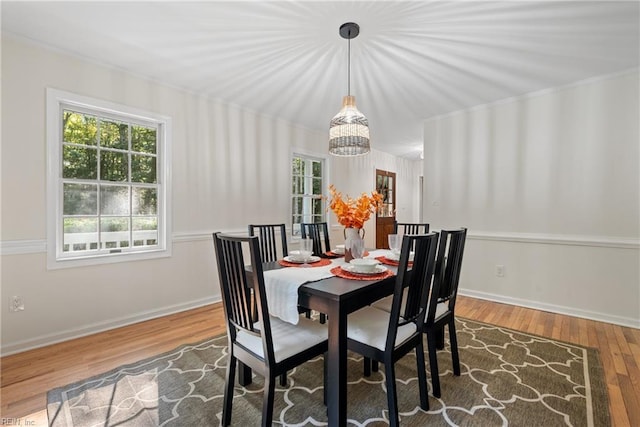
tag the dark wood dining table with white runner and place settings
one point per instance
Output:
(336, 297)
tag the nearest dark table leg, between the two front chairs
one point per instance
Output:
(337, 366)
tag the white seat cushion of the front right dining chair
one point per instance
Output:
(369, 325)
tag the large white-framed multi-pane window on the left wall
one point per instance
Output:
(107, 182)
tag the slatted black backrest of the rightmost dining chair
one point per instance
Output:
(448, 267)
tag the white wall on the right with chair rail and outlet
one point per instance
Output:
(548, 185)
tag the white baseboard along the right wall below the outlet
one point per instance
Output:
(559, 309)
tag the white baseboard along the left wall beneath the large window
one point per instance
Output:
(45, 340)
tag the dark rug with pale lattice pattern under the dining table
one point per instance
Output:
(508, 378)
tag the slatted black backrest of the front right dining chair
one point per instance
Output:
(416, 280)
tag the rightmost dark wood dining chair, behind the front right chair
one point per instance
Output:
(441, 308)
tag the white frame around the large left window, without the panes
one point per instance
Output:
(57, 100)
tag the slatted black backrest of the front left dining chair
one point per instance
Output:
(236, 285)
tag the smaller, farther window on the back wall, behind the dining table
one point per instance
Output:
(307, 188)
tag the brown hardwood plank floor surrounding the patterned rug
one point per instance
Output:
(26, 377)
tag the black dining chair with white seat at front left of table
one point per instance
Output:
(268, 345)
